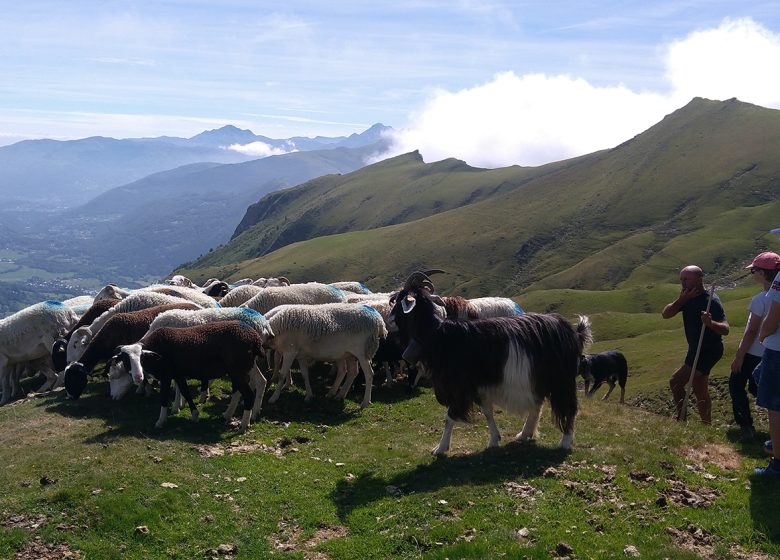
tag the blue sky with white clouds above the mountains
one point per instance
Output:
(491, 82)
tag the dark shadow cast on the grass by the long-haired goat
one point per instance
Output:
(509, 462)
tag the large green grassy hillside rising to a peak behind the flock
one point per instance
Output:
(700, 186)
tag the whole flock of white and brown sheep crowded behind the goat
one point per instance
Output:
(178, 331)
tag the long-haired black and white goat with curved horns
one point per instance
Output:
(512, 362)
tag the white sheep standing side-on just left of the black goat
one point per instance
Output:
(334, 333)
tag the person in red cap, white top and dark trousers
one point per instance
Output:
(763, 268)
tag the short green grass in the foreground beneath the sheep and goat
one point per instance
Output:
(366, 479)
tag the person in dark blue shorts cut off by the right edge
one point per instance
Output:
(767, 374)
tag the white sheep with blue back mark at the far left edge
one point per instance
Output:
(28, 335)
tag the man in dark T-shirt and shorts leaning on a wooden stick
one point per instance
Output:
(692, 301)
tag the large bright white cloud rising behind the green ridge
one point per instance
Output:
(537, 118)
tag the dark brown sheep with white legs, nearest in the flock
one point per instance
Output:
(201, 352)
